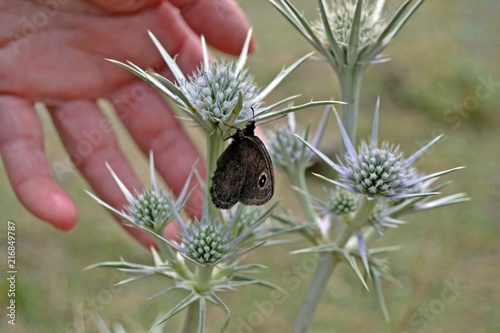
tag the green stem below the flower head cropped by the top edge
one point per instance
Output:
(350, 87)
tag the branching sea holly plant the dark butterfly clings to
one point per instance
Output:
(206, 257)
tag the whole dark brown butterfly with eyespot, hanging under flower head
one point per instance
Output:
(244, 172)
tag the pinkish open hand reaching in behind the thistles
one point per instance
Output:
(55, 54)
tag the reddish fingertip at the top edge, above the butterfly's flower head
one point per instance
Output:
(222, 22)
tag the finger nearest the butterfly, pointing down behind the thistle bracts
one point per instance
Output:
(154, 128)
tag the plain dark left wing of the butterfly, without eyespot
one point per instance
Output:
(229, 177)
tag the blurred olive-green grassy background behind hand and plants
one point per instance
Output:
(439, 60)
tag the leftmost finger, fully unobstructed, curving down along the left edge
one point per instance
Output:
(22, 149)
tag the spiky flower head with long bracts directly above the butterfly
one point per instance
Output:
(219, 92)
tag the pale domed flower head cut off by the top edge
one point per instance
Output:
(340, 18)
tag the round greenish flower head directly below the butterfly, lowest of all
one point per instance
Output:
(206, 244)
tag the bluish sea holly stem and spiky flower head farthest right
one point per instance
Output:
(374, 187)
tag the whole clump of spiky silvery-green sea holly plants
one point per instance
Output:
(375, 185)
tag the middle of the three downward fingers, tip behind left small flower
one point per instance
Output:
(88, 137)
